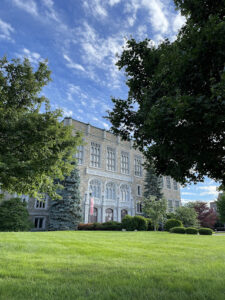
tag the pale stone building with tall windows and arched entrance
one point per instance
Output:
(111, 173)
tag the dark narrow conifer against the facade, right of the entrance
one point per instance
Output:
(152, 184)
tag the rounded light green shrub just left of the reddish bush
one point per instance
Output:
(187, 215)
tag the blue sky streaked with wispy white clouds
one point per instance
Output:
(80, 39)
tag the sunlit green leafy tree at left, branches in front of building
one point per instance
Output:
(35, 148)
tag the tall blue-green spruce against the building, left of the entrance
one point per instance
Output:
(65, 214)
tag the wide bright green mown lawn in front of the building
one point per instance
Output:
(111, 265)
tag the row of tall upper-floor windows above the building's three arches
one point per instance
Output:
(95, 159)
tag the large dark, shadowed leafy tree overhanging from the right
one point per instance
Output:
(176, 100)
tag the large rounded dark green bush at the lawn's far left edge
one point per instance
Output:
(14, 216)
